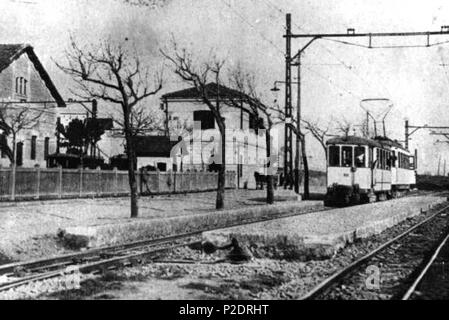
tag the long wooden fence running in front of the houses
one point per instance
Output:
(51, 183)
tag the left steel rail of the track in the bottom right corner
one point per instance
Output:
(328, 282)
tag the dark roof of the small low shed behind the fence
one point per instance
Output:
(153, 146)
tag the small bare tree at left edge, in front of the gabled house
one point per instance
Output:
(14, 119)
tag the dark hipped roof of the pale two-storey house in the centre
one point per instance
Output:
(212, 90)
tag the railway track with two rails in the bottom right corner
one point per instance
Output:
(391, 265)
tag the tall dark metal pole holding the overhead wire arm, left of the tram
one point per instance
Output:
(287, 130)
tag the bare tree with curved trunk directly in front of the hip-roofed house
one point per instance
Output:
(199, 77)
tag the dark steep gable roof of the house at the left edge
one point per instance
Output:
(11, 52)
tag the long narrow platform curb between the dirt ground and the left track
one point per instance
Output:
(139, 229)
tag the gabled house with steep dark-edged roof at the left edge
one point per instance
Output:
(26, 86)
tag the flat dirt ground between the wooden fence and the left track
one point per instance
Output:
(29, 229)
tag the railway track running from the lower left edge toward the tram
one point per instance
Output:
(17, 274)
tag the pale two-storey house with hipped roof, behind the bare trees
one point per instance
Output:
(245, 144)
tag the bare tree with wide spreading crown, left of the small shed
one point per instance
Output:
(113, 74)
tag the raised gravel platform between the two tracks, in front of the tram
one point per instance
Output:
(320, 235)
